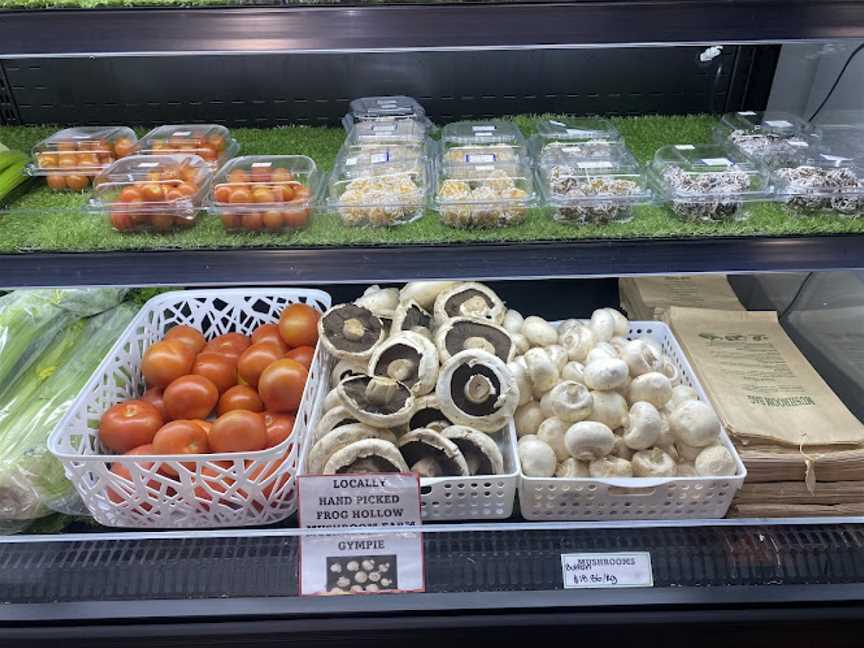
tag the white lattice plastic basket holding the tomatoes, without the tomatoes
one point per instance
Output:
(212, 490)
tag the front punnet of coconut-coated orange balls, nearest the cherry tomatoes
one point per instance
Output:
(379, 186)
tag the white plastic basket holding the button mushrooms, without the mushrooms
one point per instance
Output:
(632, 498)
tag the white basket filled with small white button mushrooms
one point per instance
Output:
(613, 424)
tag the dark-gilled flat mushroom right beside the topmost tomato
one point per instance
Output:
(351, 332)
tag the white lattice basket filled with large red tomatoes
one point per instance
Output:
(194, 419)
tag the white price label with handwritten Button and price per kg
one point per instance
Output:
(596, 571)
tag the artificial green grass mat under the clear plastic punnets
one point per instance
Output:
(46, 221)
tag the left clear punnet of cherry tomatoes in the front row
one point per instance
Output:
(157, 193)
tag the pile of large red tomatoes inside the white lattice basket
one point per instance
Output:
(233, 393)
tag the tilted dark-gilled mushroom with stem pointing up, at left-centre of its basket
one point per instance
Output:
(377, 401)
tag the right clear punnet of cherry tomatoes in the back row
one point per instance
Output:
(211, 142)
